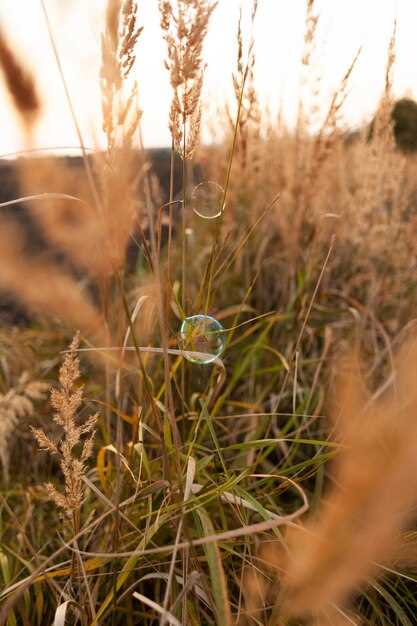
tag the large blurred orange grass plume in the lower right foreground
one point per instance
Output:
(372, 498)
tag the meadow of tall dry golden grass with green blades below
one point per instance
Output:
(208, 399)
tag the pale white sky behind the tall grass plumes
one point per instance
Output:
(345, 25)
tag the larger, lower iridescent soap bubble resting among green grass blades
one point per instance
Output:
(202, 334)
